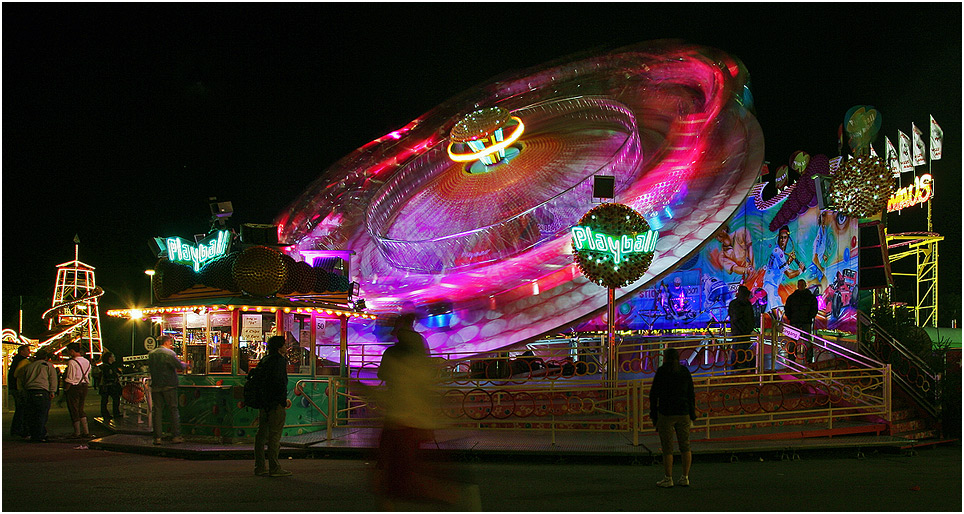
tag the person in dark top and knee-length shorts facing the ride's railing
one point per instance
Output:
(672, 407)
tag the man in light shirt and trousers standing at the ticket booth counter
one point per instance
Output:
(164, 367)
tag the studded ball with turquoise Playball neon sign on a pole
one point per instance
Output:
(613, 245)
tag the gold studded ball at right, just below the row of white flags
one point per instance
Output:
(861, 187)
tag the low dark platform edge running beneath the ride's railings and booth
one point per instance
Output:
(469, 444)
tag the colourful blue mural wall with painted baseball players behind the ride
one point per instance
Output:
(818, 246)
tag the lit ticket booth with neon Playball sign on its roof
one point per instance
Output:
(222, 310)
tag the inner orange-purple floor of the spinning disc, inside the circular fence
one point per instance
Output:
(436, 216)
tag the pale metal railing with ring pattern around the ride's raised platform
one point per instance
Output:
(571, 393)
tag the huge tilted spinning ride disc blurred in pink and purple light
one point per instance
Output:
(485, 245)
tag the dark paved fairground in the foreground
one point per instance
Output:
(65, 476)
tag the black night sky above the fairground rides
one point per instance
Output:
(120, 120)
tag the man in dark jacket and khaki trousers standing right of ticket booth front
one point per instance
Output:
(271, 417)
